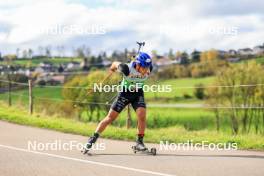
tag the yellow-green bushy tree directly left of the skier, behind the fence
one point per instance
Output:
(87, 100)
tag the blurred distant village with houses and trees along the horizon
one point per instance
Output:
(48, 68)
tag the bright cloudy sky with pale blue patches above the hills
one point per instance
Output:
(107, 25)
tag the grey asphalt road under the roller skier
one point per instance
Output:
(19, 157)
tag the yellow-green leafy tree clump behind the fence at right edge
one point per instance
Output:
(234, 96)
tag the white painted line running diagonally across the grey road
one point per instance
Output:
(86, 161)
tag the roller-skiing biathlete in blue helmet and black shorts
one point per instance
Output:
(134, 74)
